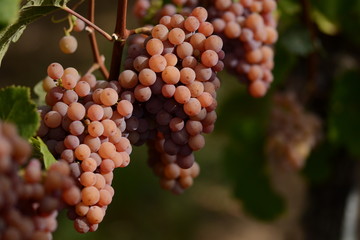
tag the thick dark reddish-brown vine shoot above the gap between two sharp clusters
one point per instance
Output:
(122, 33)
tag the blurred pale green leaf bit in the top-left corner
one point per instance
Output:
(9, 12)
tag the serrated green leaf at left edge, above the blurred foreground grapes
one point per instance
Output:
(17, 107)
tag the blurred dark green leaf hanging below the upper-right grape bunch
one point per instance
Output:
(245, 160)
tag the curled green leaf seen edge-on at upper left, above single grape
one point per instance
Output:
(31, 11)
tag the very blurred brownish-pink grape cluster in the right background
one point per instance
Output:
(293, 132)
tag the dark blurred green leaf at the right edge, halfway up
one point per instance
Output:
(344, 114)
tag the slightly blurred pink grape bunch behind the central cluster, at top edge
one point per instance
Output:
(248, 29)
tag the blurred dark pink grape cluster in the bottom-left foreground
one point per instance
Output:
(29, 202)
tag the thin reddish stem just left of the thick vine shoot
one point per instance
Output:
(94, 45)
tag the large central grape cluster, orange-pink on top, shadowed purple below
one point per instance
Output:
(170, 79)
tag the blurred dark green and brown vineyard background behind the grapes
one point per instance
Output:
(282, 167)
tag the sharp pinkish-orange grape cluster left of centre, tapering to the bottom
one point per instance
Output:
(83, 125)
